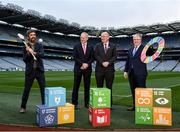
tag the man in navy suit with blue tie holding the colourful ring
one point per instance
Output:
(135, 70)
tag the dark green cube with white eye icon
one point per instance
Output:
(161, 97)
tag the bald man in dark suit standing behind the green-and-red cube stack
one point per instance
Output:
(105, 55)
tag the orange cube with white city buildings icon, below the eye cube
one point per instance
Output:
(162, 116)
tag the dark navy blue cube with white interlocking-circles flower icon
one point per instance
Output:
(46, 116)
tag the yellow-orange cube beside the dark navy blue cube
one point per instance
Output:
(66, 114)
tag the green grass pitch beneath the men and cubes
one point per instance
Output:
(12, 83)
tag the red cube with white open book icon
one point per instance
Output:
(99, 116)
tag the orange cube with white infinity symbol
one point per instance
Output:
(144, 97)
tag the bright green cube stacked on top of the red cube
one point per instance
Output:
(100, 97)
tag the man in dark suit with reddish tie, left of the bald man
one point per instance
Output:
(83, 56)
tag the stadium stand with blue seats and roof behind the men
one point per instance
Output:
(60, 36)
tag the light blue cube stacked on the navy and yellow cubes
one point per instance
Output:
(55, 96)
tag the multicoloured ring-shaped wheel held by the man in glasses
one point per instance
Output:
(148, 59)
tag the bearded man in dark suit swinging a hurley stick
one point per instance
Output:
(34, 68)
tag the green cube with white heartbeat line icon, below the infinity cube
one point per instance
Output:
(144, 115)
